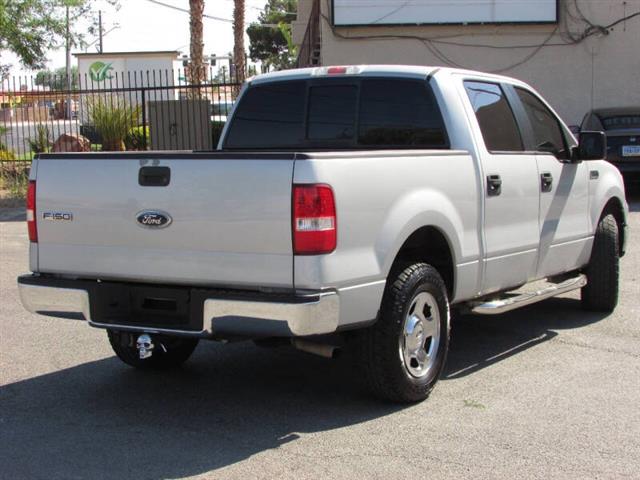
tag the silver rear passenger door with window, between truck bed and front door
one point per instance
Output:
(511, 190)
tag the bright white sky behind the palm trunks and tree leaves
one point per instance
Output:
(146, 26)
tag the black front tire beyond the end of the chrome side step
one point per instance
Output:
(601, 292)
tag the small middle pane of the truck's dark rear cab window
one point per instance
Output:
(332, 112)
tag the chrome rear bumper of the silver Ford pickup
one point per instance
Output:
(315, 313)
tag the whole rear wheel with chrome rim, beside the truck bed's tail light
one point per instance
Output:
(403, 354)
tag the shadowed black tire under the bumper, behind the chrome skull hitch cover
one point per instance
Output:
(178, 350)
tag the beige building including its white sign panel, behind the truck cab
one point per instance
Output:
(580, 54)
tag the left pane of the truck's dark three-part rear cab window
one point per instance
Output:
(269, 116)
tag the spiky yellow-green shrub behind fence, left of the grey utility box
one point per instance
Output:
(113, 119)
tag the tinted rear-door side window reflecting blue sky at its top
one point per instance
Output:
(496, 119)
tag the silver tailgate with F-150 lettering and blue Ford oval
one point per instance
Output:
(230, 218)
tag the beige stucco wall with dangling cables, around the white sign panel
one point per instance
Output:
(601, 71)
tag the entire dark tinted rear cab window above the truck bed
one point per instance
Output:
(341, 113)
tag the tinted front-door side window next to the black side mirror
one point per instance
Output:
(547, 134)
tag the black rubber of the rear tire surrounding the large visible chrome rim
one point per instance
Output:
(379, 348)
